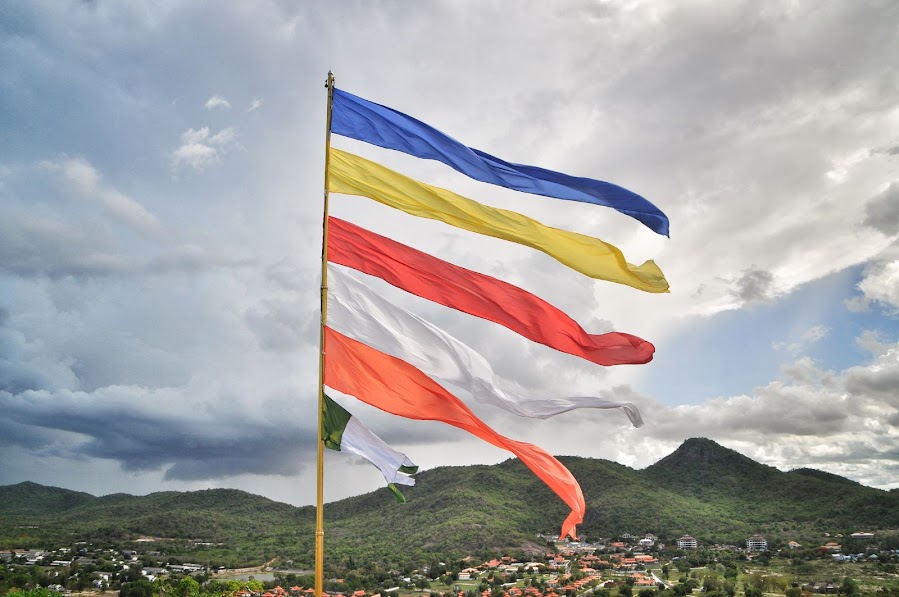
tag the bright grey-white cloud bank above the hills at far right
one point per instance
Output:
(816, 418)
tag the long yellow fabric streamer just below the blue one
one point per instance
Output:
(354, 175)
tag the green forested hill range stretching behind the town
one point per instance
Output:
(701, 489)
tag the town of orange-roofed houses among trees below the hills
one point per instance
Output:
(626, 565)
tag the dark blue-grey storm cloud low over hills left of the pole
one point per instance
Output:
(144, 431)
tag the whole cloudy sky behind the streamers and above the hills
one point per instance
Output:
(161, 186)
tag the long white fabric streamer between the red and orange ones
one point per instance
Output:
(362, 314)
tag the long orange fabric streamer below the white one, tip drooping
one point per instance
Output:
(397, 387)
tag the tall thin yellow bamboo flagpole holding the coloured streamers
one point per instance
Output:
(319, 504)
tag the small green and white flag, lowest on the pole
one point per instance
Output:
(343, 432)
